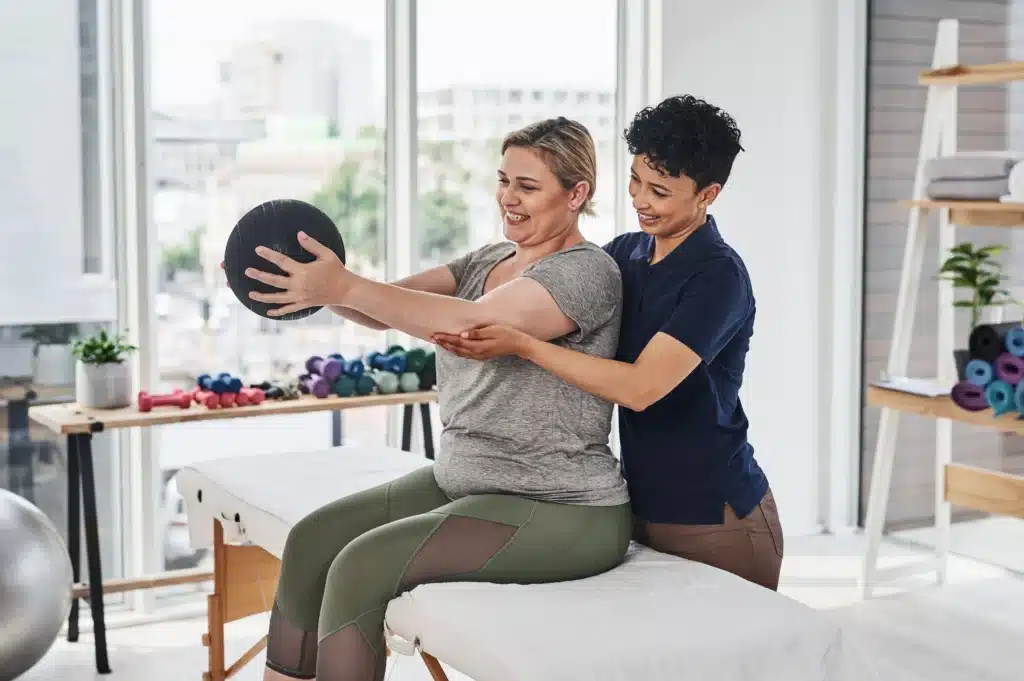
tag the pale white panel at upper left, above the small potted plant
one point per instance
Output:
(41, 228)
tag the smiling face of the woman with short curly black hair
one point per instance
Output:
(668, 206)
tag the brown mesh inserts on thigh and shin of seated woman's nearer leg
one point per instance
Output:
(460, 546)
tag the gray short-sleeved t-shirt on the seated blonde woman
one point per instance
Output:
(511, 428)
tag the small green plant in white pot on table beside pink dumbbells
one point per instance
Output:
(103, 378)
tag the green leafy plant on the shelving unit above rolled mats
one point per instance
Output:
(977, 271)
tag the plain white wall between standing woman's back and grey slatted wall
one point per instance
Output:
(774, 67)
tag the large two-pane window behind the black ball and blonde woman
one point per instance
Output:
(249, 101)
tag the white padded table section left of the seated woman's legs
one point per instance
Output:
(271, 493)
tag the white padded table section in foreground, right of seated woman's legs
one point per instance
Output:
(656, 618)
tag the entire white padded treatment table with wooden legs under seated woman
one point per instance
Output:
(656, 618)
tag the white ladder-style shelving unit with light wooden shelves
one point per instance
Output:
(987, 491)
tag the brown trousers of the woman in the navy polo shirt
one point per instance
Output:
(751, 547)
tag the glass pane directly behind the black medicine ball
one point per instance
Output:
(253, 103)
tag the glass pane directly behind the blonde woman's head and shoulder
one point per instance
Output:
(500, 75)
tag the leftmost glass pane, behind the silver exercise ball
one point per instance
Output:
(46, 247)
